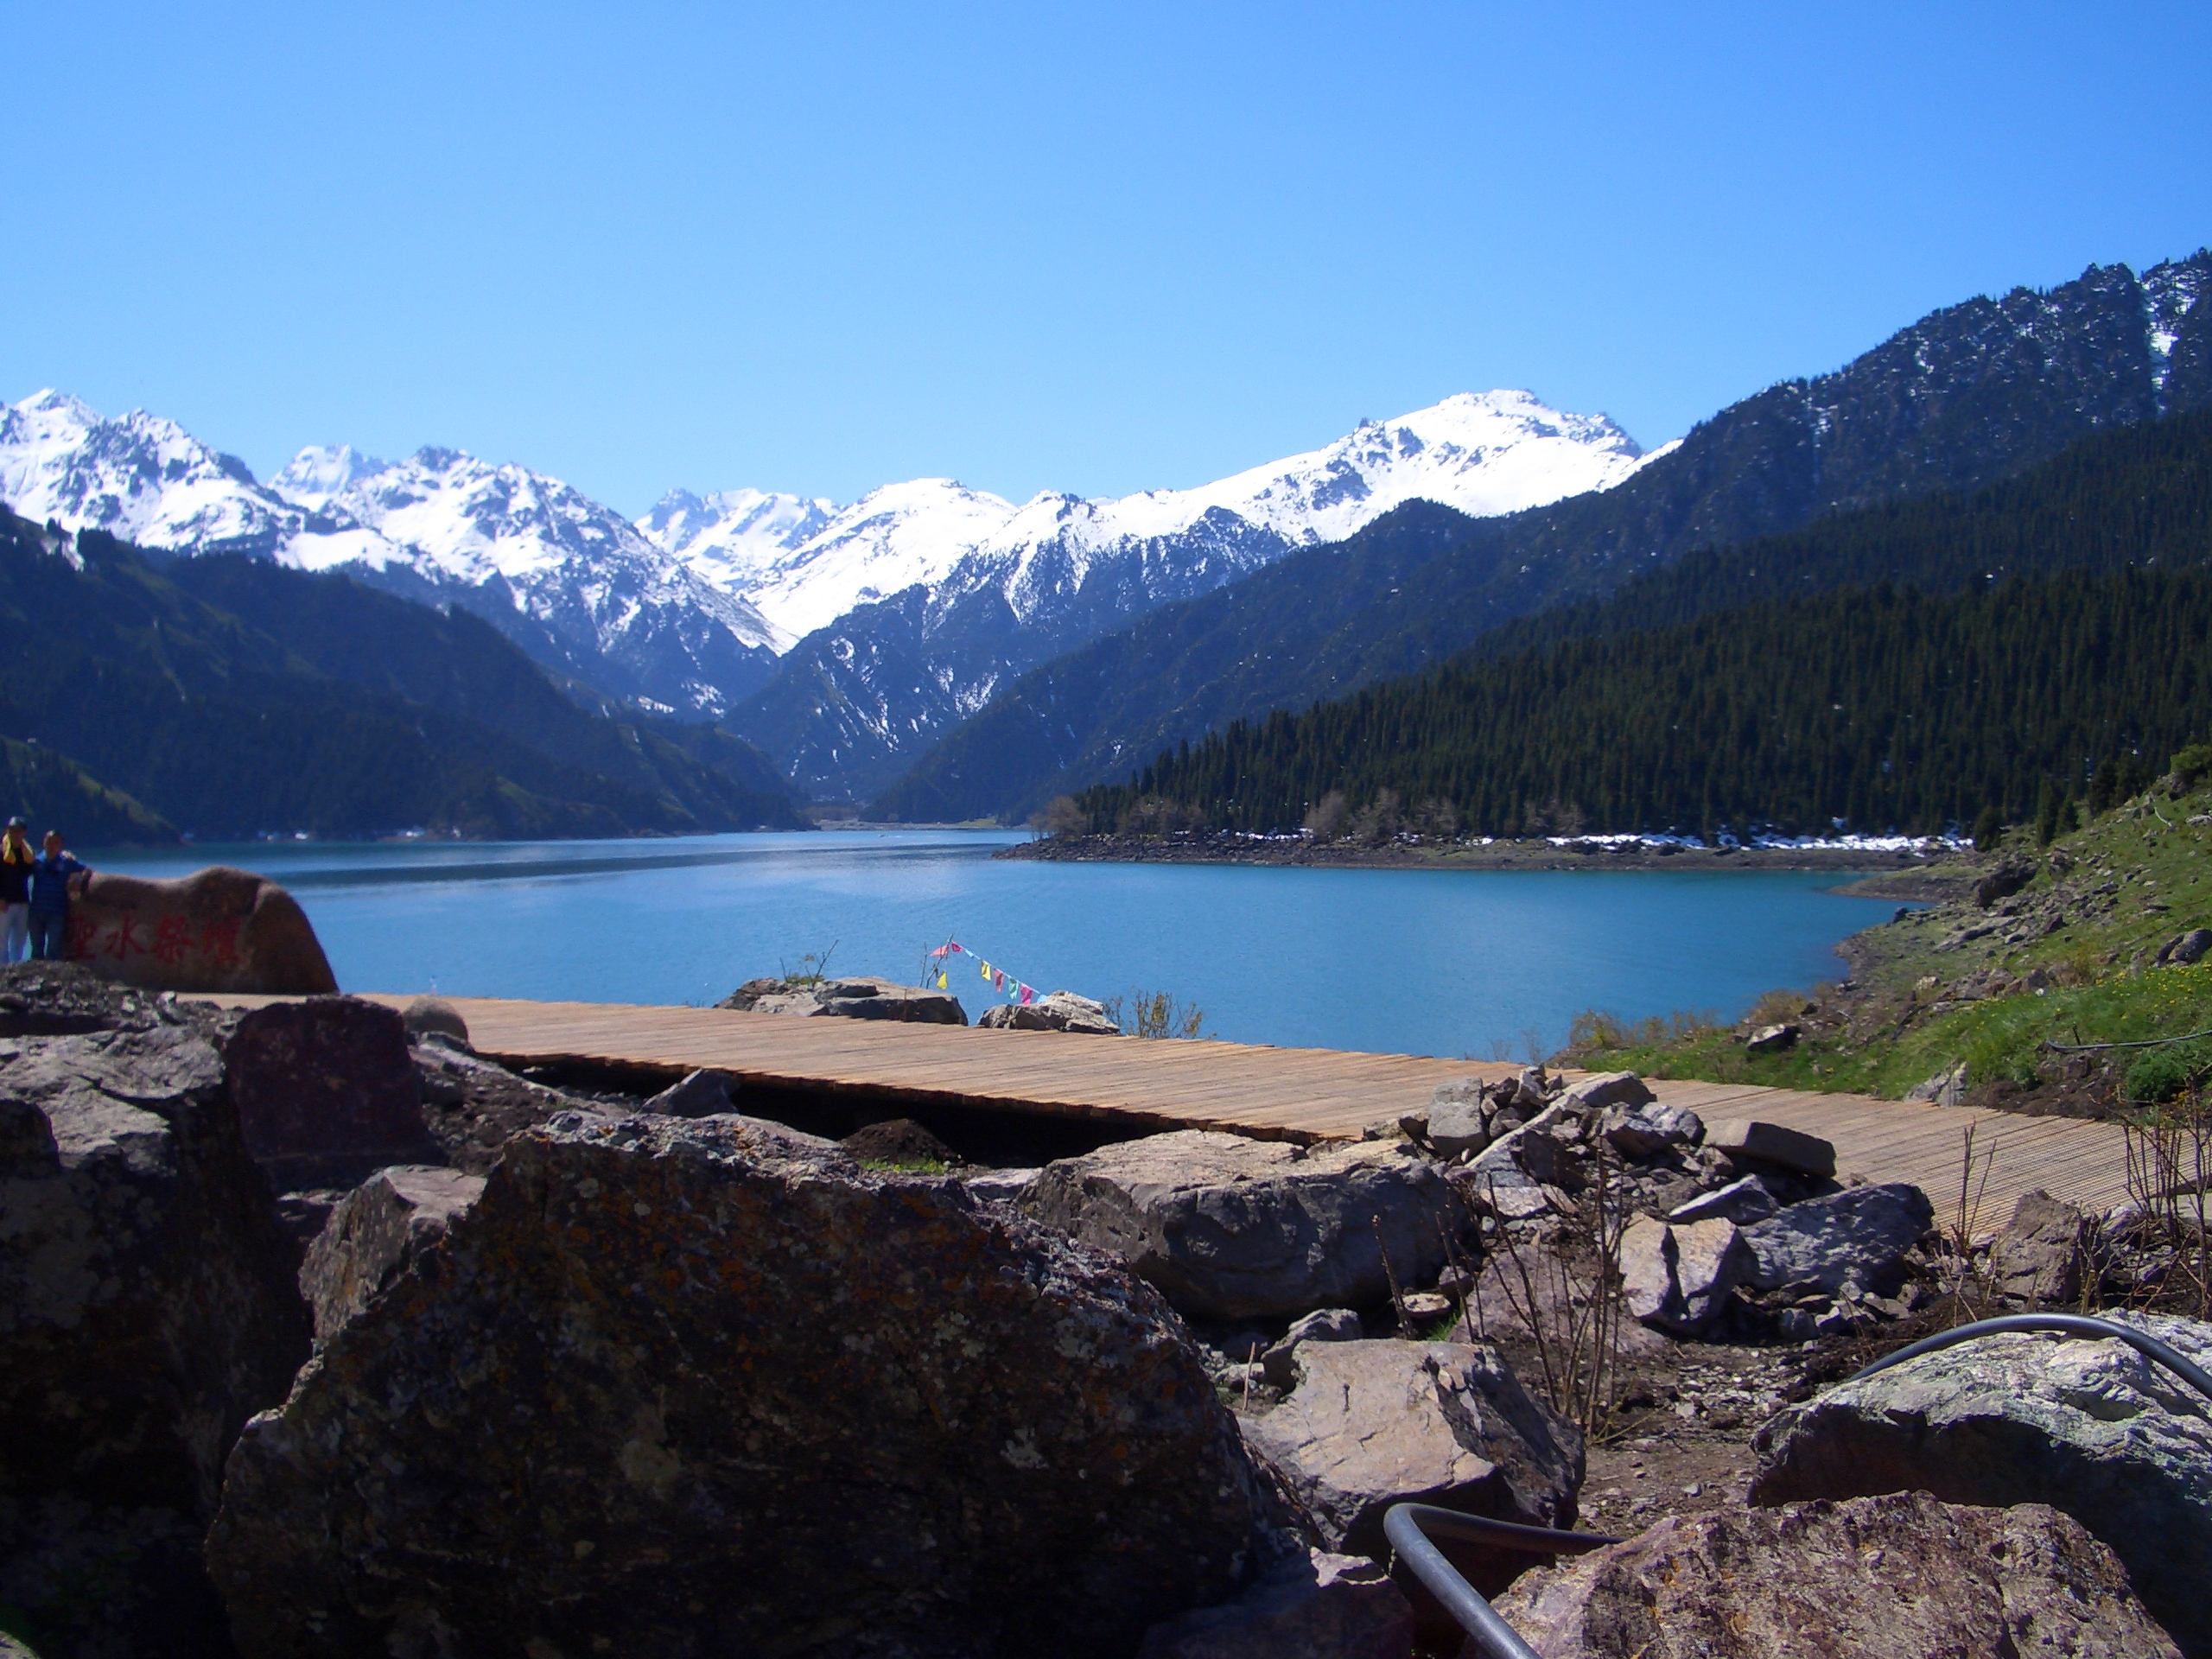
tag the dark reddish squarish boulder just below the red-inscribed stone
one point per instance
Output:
(326, 1092)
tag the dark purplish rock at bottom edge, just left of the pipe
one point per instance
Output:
(1306, 1607)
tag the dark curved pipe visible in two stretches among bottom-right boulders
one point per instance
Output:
(1412, 1527)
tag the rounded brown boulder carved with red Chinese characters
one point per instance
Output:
(216, 930)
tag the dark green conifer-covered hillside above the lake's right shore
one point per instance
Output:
(1901, 667)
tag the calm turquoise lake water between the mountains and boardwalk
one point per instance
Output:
(1439, 963)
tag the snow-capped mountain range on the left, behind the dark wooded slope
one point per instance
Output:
(567, 578)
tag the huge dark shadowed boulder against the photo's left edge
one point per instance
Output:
(147, 1308)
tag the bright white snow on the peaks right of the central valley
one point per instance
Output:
(1492, 452)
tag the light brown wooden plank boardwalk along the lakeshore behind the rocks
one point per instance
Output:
(1277, 1094)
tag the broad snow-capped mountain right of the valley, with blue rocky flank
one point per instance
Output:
(921, 598)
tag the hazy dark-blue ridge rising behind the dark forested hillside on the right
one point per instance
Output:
(1965, 397)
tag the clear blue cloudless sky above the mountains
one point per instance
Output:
(1087, 249)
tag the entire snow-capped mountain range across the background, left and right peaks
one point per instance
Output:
(912, 603)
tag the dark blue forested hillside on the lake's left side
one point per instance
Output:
(333, 711)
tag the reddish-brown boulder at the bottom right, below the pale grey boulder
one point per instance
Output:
(1875, 1578)
